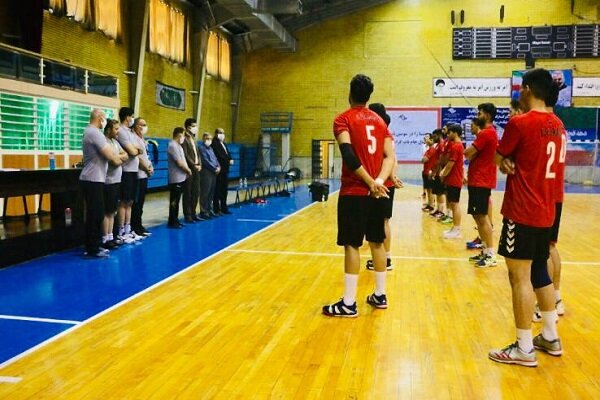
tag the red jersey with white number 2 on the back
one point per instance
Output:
(533, 141)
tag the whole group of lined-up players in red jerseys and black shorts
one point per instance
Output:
(531, 153)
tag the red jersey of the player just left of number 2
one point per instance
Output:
(482, 169)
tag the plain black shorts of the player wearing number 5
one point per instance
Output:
(360, 216)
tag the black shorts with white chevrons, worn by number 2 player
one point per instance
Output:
(523, 242)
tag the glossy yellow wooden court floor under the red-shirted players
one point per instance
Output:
(246, 324)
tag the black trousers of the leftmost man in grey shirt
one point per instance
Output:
(93, 193)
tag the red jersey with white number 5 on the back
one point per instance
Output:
(367, 134)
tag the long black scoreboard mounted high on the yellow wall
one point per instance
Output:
(533, 42)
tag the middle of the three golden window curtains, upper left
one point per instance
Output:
(167, 31)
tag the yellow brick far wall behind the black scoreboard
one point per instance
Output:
(401, 46)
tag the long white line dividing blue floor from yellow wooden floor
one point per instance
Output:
(133, 297)
